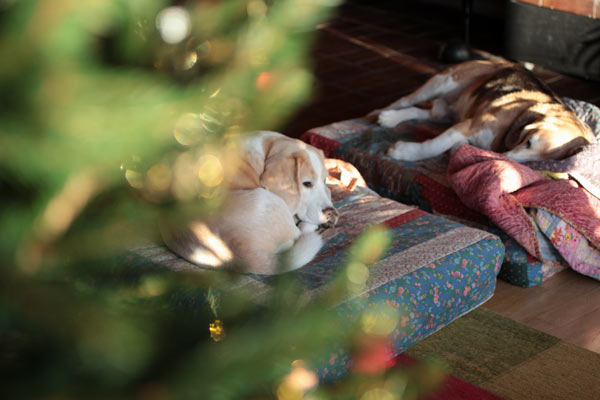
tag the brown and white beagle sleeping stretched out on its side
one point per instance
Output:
(494, 105)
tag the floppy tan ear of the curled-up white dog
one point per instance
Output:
(281, 176)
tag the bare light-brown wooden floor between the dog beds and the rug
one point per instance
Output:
(566, 306)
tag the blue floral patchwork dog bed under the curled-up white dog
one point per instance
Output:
(434, 271)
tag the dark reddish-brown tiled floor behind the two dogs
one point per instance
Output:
(372, 52)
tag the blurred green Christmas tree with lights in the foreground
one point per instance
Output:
(106, 107)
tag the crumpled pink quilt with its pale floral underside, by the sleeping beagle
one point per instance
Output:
(507, 192)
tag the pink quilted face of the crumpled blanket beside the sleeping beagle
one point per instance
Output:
(502, 190)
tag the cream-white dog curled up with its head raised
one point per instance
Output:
(277, 202)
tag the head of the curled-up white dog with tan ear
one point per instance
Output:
(295, 171)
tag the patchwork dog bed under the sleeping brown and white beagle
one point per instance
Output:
(425, 184)
